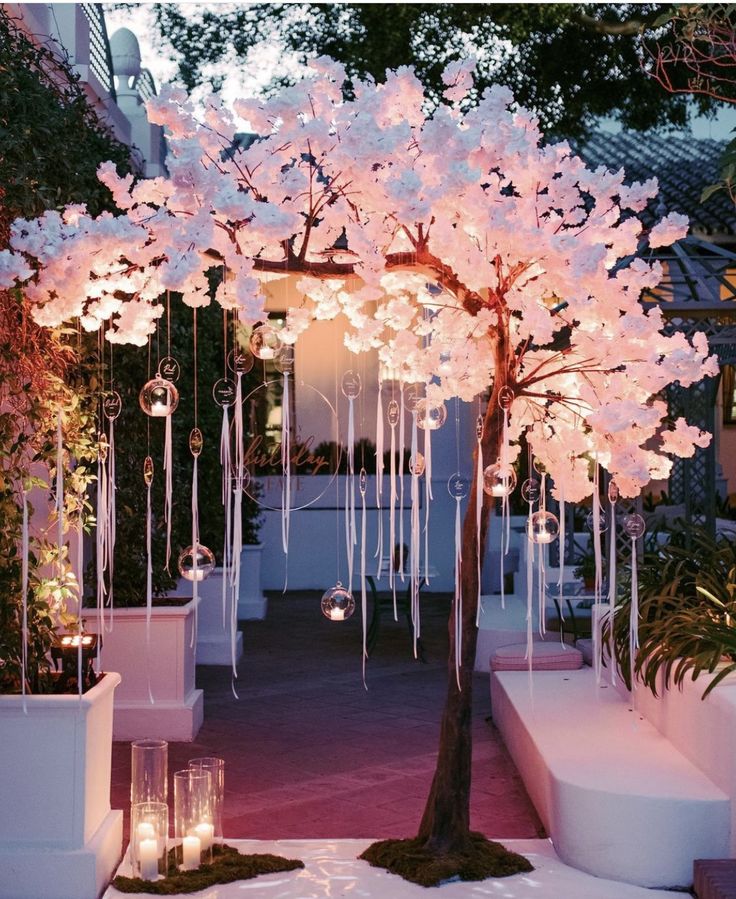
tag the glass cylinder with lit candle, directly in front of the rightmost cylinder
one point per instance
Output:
(193, 818)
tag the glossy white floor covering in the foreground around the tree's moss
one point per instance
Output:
(332, 869)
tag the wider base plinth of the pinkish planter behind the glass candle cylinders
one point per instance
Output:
(161, 720)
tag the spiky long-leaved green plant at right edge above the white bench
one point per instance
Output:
(687, 612)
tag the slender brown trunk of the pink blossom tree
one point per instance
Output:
(445, 825)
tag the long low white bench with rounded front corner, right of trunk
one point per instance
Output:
(615, 796)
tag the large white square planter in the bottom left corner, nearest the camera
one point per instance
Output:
(59, 838)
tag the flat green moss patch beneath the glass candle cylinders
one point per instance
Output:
(228, 865)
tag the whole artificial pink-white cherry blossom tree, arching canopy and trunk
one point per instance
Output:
(524, 241)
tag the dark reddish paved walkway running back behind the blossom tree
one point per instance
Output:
(310, 753)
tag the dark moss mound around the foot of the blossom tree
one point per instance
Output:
(480, 859)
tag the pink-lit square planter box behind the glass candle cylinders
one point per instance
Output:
(177, 710)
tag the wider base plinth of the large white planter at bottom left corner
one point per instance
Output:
(32, 872)
